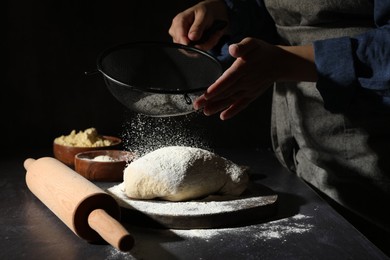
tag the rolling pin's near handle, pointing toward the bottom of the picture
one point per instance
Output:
(110, 230)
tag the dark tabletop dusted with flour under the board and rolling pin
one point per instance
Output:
(304, 227)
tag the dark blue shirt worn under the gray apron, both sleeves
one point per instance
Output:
(350, 69)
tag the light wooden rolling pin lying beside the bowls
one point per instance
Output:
(86, 209)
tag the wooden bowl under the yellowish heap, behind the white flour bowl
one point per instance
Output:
(66, 153)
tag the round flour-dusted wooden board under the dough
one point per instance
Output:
(257, 204)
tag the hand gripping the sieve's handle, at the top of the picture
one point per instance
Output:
(189, 25)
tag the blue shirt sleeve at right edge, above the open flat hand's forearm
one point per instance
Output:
(350, 66)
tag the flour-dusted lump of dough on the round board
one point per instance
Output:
(179, 173)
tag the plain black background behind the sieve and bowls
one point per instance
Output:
(49, 46)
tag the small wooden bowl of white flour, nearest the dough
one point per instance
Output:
(89, 166)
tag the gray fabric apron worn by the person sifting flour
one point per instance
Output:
(344, 155)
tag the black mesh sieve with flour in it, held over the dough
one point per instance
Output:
(157, 78)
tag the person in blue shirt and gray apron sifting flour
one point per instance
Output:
(331, 99)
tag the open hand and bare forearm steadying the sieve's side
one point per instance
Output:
(257, 65)
